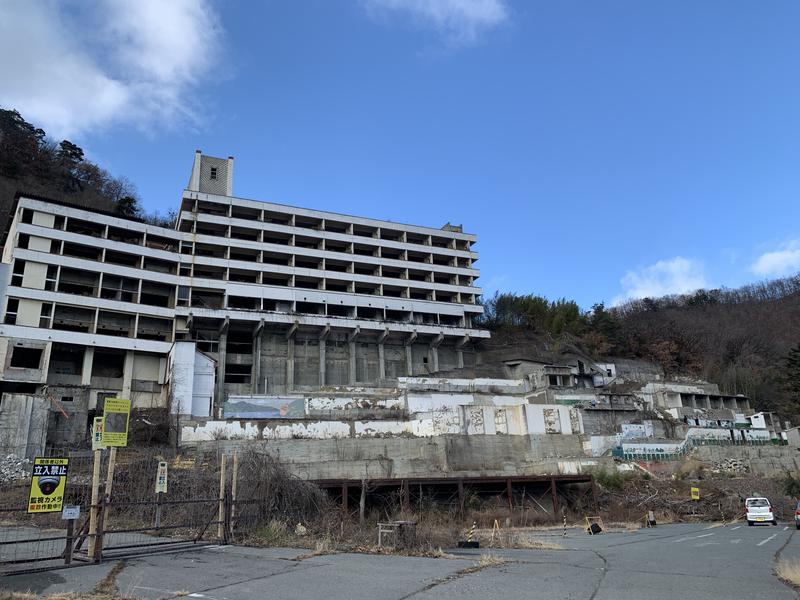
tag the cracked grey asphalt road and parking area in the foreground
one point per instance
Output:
(668, 562)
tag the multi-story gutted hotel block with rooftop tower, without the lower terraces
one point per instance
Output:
(243, 296)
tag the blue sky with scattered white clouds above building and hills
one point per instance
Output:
(600, 150)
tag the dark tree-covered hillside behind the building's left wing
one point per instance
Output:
(32, 163)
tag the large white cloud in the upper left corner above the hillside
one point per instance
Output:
(72, 68)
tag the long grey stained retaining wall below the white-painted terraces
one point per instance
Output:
(445, 456)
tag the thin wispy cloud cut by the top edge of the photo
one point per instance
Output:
(460, 21)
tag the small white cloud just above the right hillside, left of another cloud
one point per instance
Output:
(677, 275)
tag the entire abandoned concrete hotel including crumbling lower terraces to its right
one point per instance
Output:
(251, 320)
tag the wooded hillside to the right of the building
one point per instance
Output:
(746, 339)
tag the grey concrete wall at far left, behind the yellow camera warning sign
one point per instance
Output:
(23, 425)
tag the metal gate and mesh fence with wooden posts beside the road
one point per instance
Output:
(120, 513)
